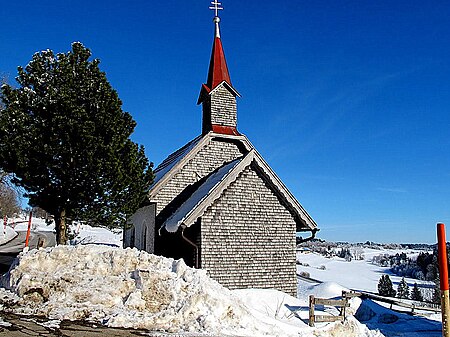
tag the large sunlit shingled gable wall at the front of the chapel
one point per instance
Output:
(248, 237)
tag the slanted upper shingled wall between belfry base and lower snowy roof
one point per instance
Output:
(212, 156)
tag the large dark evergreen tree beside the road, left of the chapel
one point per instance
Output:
(66, 139)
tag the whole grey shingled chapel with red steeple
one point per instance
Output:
(218, 205)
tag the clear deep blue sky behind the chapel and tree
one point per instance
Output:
(348, 101)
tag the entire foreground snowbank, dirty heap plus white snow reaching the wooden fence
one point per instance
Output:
(130, 288)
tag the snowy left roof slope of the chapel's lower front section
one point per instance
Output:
(177, 218)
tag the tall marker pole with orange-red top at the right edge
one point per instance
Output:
(443, 276)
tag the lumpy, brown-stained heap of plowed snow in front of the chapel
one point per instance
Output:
(123, 287)
